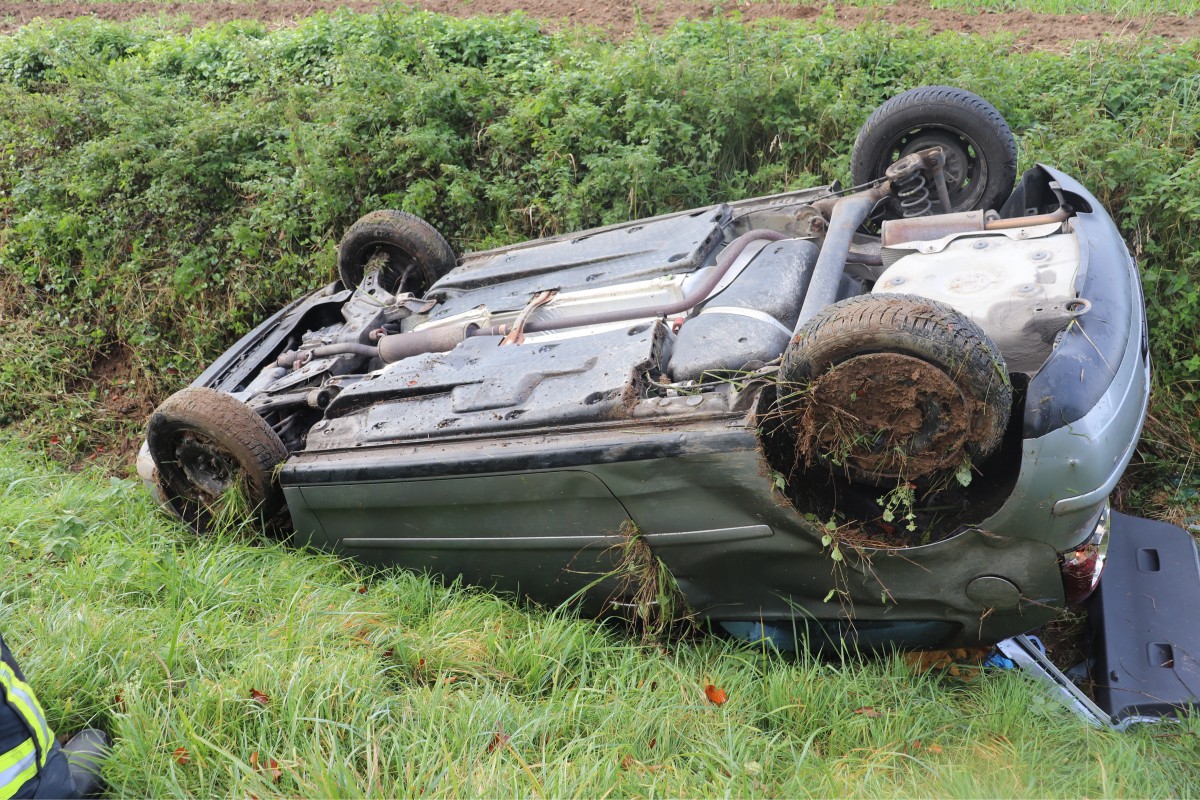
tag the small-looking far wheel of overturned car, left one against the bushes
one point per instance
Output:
(417, 252)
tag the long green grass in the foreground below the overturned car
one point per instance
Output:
(212, 660)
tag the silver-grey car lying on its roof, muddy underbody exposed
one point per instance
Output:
(889, 414)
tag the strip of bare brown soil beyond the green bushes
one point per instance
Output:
(621, 17)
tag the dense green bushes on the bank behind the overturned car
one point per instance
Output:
(160, 194)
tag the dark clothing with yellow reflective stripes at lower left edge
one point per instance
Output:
(26, 739)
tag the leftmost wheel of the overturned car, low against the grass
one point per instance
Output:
(205, 443)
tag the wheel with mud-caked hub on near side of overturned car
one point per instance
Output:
(895, 389)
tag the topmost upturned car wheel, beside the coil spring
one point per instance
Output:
(981, 153)
